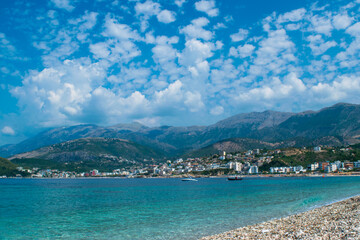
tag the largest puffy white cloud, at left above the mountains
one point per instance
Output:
(54, 94)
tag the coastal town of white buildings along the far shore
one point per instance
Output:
(255, 162)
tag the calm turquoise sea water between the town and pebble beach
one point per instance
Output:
(155, 208)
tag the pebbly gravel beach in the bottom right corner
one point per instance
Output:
(340, 220)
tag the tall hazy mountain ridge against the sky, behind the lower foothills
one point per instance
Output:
(340, 121)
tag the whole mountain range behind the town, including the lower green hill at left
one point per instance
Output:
(335, 125)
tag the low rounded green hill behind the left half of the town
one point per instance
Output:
(92, 152)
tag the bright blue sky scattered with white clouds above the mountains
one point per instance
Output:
(173, 62)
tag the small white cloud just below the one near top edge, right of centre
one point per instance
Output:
(196, 30)
